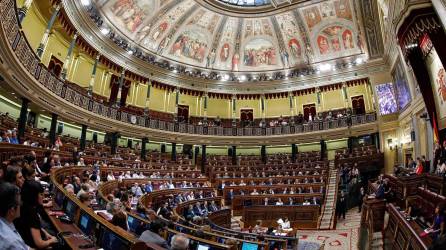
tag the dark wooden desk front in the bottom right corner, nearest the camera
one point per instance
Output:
(404, 234)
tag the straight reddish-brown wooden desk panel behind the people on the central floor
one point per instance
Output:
(299, 216)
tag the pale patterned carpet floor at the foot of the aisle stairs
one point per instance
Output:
(345, 237)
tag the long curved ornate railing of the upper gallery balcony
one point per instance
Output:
(31, 62)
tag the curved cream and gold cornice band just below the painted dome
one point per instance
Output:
(92, 35)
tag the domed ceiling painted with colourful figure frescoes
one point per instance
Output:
(202, 33)
